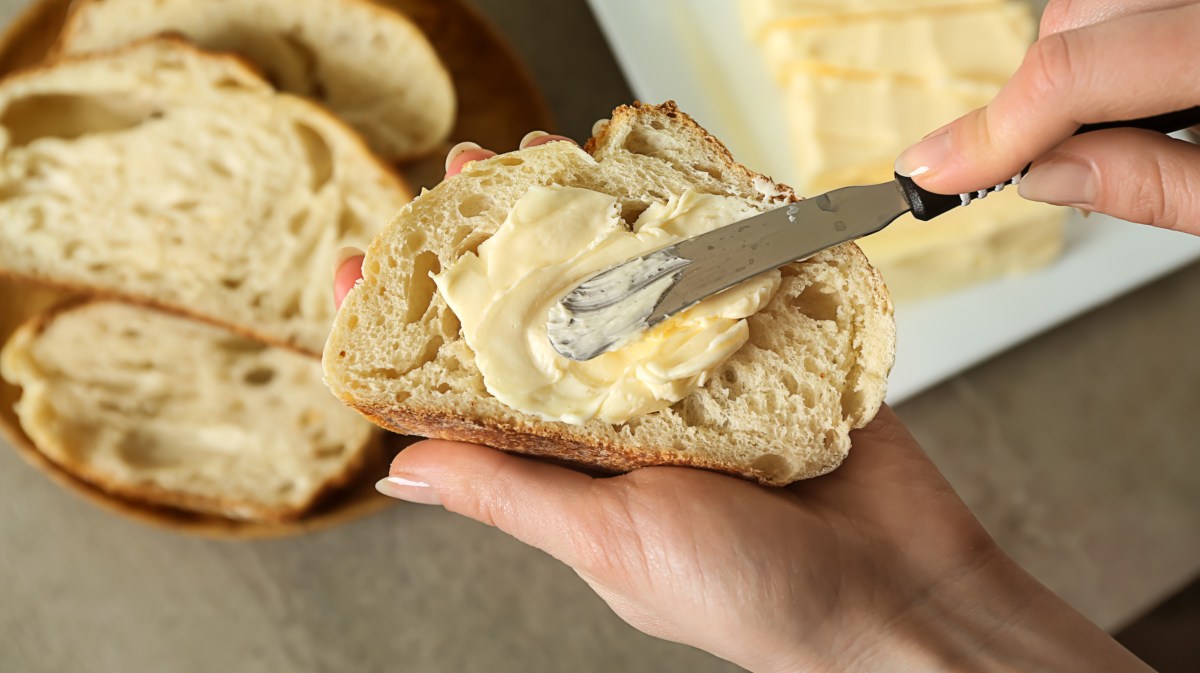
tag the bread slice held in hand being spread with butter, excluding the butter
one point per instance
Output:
(781, 410)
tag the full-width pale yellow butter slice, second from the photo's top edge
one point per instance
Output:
(985, 43)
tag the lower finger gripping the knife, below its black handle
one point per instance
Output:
(1132, 175)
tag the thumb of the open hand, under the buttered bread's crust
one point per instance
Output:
(541, 504)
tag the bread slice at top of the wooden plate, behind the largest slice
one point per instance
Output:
(369, 64)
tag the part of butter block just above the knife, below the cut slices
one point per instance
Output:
(849, 131)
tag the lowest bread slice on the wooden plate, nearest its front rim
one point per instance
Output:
(164, 410)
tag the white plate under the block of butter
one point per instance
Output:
(695, 53)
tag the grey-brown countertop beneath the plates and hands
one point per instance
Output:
(1078, 450)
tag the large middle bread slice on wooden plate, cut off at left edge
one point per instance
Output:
(178, 178)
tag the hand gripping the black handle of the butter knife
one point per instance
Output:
(1097, 61)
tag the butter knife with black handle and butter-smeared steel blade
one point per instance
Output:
(613, 308)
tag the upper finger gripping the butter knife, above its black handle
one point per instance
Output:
(1125, 69)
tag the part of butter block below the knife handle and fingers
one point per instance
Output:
(1001, 236)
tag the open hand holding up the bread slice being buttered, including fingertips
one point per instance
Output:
(878, 566)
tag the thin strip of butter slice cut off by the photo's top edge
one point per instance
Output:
(761, 16)
